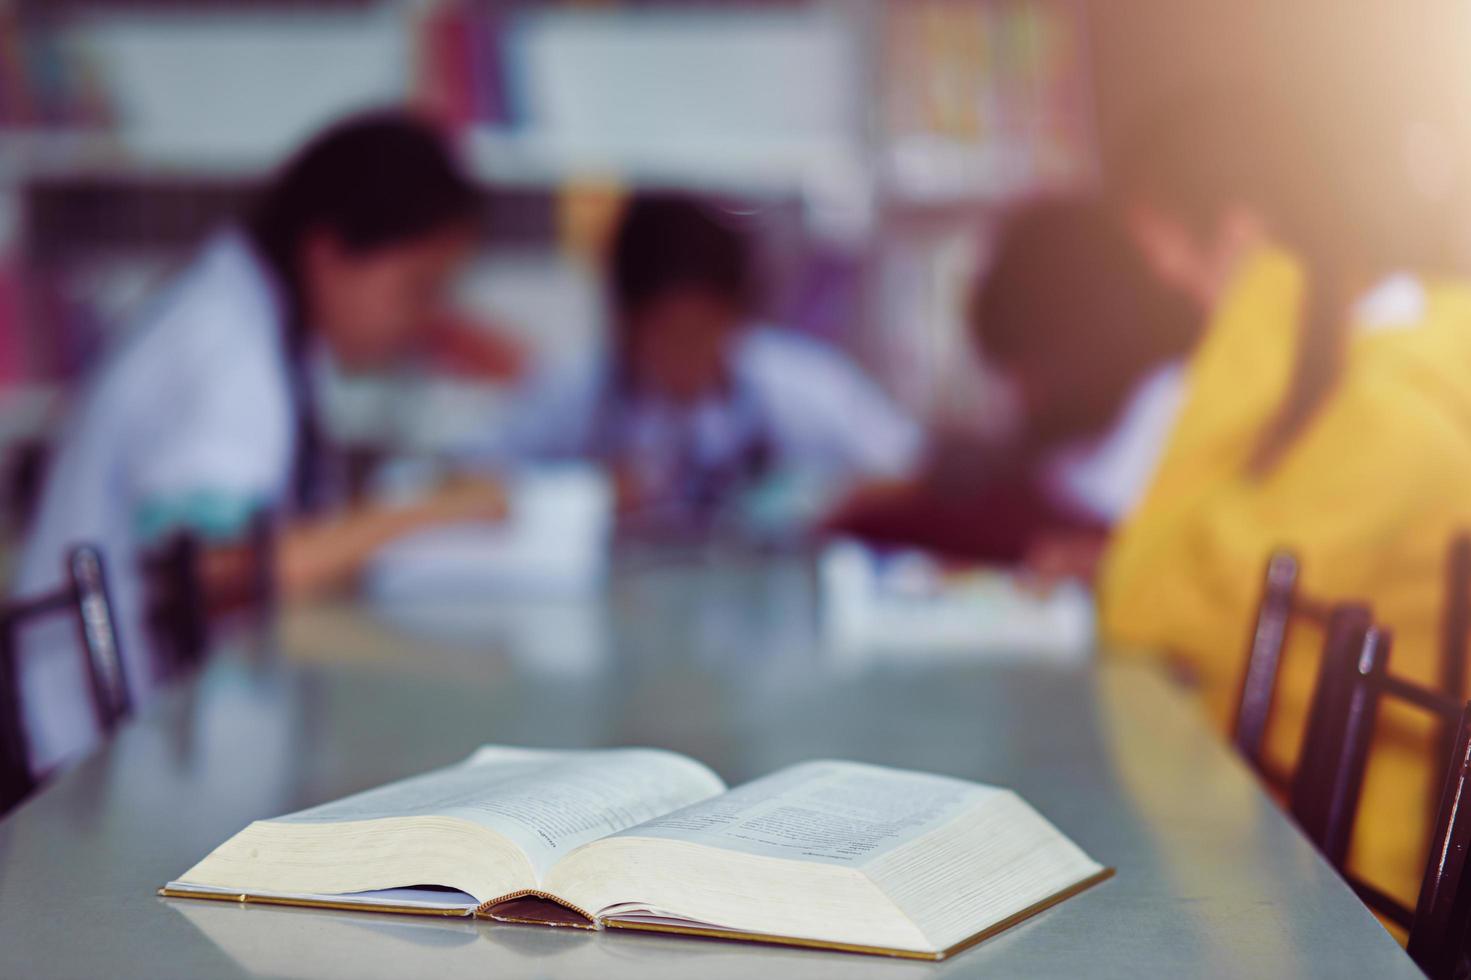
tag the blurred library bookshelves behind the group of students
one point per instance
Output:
(873, 145)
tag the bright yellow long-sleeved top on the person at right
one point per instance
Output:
(1369, 498)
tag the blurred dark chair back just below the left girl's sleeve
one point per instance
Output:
(192, 586)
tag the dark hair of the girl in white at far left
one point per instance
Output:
(374, 180)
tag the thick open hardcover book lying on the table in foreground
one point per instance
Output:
(838, 856)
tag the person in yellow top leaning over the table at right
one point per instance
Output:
(1328, 410)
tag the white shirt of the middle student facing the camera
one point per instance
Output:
(810, 407)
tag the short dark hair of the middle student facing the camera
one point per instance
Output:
(669, 242)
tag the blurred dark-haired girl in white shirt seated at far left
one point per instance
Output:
(205, 416)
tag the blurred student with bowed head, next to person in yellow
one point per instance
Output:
(1095, 373)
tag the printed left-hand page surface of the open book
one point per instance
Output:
(545, 801)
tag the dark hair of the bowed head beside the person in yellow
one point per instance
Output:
(1069, 288)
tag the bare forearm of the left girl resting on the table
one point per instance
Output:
(321, 555)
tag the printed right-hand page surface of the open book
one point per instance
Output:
(838, 813)
